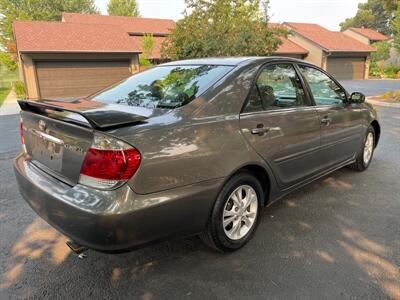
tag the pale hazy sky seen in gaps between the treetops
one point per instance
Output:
(328, 13)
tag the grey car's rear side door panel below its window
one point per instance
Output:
(291, 144)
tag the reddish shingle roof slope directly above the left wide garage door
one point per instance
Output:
(41, 36)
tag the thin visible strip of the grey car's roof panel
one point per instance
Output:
(229, 61)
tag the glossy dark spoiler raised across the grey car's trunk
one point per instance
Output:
(103, 116)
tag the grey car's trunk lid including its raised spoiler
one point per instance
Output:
(58, 134)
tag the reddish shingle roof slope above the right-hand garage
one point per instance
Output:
(329, 40)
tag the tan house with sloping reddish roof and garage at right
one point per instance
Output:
(335, 52)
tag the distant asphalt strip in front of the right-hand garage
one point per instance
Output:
(371, 87)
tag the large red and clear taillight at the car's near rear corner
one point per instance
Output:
(109, 163)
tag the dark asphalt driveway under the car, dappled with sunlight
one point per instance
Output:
(338, 238)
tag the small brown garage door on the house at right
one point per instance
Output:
(347, 68)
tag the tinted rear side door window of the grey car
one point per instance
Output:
(277, 86)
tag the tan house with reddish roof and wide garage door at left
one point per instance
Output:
(82, 53)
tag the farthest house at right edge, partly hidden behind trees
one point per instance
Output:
(369, 36)
